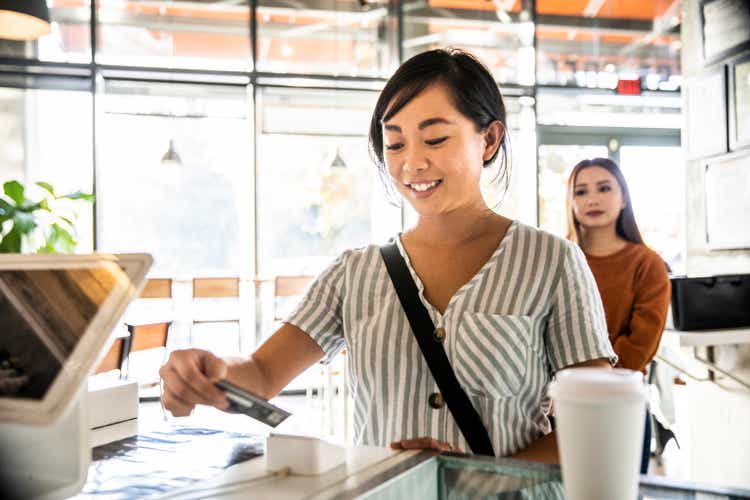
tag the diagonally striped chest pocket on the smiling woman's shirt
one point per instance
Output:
(493, 353)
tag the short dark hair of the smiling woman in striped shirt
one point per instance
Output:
(471, 85)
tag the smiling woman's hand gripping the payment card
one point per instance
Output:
(188, 377)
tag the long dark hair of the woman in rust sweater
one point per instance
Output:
(625, 226)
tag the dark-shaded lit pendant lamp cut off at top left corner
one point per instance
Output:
(23, 20)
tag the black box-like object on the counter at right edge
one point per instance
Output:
(712, 302)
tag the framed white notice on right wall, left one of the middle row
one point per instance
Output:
(707, 114)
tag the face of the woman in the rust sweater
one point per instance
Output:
(597, 198)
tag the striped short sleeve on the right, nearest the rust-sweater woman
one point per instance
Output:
(577, 328)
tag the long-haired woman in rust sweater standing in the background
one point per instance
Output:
(632, 279)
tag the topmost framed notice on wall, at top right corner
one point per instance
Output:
(726, 27)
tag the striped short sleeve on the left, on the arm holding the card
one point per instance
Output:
(319, 313)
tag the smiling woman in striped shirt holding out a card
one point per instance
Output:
(514, 304)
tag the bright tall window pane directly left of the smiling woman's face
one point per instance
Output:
(318, 189)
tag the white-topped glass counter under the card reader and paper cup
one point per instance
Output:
(179, 461)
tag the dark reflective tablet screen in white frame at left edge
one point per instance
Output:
(43, 315)
